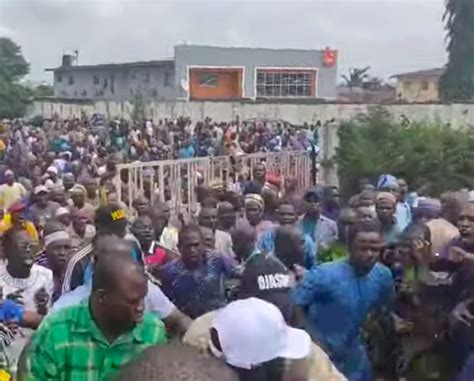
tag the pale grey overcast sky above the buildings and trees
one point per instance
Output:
(390, 36)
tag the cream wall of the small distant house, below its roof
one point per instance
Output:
(418, 89)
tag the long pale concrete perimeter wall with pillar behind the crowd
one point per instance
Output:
(455, 114)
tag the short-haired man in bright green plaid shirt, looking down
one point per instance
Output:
(109, 328)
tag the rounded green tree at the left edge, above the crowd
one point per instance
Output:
(13, 96)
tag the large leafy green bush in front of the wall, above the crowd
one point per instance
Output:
(433, 156)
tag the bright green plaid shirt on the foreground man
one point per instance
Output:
(69, 346)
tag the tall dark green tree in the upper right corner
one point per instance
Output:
(457, 82)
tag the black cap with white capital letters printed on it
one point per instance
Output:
(266, 277)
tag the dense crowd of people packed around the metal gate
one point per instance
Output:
(264, 283)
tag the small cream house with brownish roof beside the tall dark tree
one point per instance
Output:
(418, 86)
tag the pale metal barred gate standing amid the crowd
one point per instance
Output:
(179, 178)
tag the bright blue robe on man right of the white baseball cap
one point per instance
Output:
(337, 303)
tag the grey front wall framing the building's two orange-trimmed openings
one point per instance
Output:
(251, 59)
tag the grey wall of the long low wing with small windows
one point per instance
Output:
(116, 83)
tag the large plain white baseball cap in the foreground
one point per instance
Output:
(252, 332)
